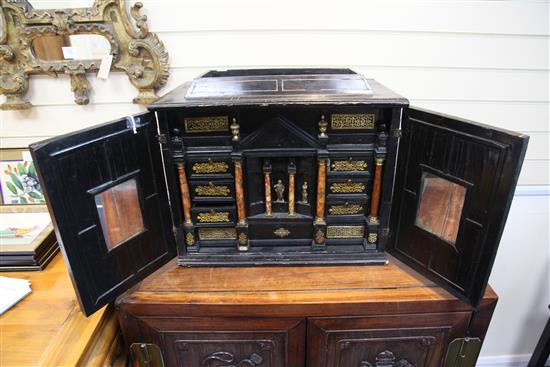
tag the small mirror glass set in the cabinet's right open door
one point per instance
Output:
(440, 208)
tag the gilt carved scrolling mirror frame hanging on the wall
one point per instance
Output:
(137, 52)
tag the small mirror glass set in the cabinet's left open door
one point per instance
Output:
(119, 212)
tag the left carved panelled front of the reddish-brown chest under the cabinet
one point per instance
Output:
(215, 342)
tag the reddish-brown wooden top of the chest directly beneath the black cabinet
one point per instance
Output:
(287, 291)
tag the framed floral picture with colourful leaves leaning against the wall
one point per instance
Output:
(18, 179)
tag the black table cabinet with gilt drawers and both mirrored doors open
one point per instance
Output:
(280, 167)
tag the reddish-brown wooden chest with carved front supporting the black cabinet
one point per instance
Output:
(337, 316)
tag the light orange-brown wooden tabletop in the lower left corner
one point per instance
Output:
(47, 328)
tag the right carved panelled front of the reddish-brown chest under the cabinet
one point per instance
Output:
(407, 340)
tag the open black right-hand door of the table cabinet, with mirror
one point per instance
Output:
(455, 183)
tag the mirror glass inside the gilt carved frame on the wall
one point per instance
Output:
(73, 47)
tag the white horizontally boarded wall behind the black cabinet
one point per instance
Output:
(484, 60)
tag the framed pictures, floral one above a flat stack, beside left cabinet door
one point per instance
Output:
(27, 239)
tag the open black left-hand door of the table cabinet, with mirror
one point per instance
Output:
(106, 194)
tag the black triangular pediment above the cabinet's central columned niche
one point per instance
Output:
(279, 133)
